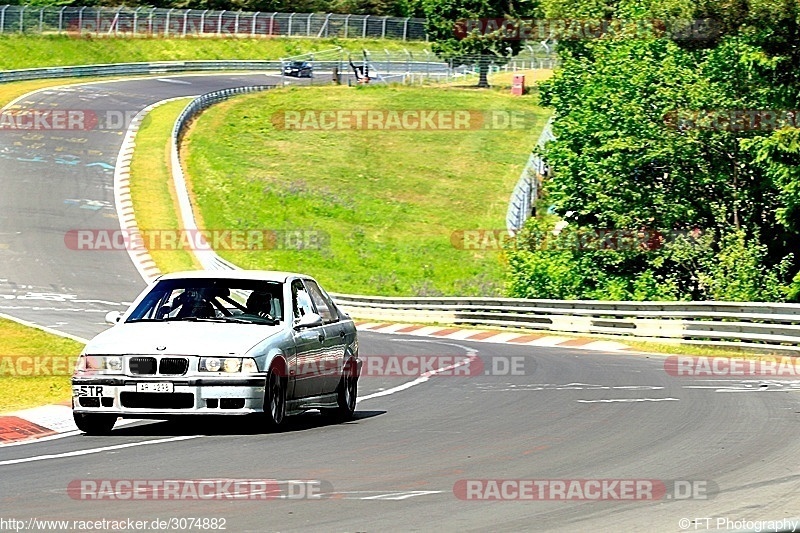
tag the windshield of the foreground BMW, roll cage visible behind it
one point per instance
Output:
(212, 300)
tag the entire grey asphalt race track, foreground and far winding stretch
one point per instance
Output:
(403, 463)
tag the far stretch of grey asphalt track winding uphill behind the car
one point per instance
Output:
(57, 181)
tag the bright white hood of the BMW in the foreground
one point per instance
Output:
(180, 338)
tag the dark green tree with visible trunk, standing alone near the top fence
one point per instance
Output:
(477, 31)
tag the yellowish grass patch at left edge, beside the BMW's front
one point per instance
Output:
(22, 392)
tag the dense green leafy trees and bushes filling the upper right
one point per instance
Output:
(687, 144)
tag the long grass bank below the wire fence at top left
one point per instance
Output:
(26, 51)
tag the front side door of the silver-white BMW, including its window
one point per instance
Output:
(309, 347)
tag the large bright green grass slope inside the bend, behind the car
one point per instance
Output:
(389, 200)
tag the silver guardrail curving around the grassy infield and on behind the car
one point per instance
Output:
(764, 326)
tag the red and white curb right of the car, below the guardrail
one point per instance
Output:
(493, 336)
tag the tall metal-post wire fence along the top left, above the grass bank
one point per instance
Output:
(161, 22)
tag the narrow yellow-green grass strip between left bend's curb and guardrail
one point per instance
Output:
(152, 189)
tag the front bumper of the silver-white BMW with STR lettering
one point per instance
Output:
(201, 396)
